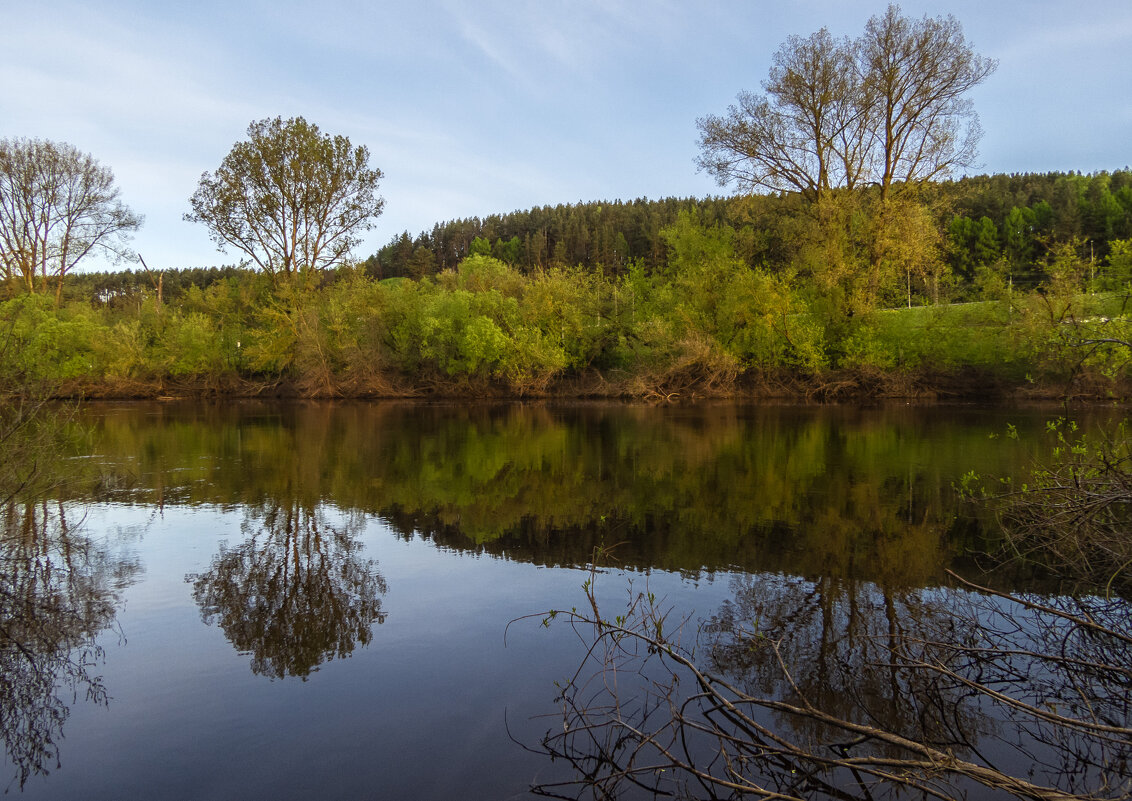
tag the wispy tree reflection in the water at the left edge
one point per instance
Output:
(58, 592)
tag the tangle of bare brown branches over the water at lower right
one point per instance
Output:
(1050, 681)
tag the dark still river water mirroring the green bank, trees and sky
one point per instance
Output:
(310, 601)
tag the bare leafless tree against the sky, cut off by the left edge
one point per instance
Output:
(57, 206)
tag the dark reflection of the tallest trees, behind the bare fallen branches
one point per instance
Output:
(833, 647)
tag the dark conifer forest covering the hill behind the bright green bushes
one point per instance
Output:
(983, 220)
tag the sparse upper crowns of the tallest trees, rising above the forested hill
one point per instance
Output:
(888, 109)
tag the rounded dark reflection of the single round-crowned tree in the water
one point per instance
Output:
(296, 593)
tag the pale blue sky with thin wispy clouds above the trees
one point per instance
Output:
(481, 108)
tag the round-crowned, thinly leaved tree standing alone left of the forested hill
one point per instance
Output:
(290, 199)
